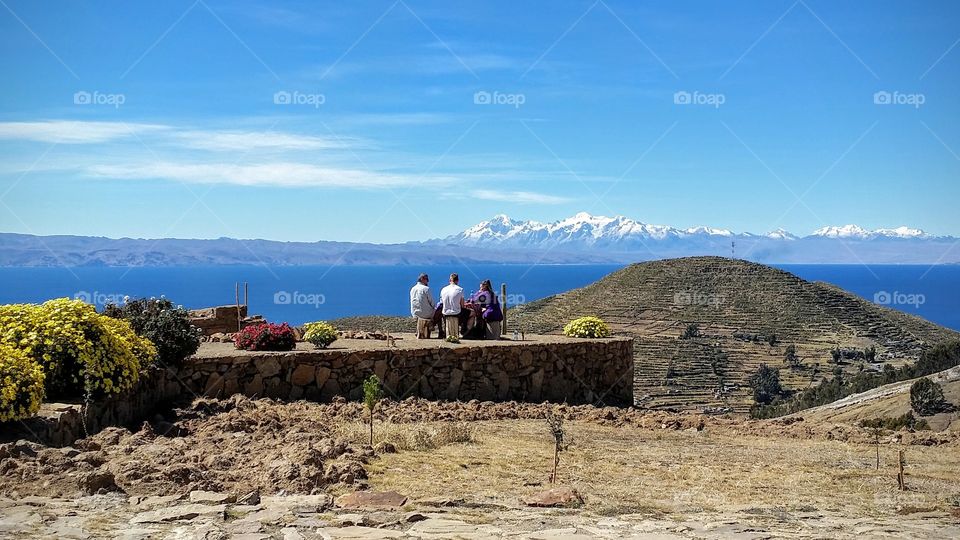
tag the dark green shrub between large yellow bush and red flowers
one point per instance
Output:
(166, 325)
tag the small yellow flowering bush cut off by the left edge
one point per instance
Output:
(21, 384)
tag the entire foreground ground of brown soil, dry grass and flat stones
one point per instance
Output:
(261, 468)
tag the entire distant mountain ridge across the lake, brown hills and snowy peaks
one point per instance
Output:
(579, 239)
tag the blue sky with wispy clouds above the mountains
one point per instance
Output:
(394, 121)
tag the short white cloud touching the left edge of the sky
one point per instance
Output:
(74, 132)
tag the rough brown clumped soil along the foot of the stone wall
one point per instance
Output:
(240, 444)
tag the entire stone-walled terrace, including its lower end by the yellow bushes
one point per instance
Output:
(540, 368)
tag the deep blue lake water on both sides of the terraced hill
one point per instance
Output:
(308, 293)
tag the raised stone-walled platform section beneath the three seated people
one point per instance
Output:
(539, 368)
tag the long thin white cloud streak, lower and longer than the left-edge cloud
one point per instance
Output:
(282, 174)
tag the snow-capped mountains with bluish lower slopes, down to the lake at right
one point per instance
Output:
(625, 239)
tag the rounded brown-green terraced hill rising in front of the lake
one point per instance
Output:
(738, 307)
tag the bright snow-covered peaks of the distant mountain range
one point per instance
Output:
(586, 230)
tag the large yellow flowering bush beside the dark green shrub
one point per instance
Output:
(81, 352)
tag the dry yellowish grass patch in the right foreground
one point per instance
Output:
(675, 473)
